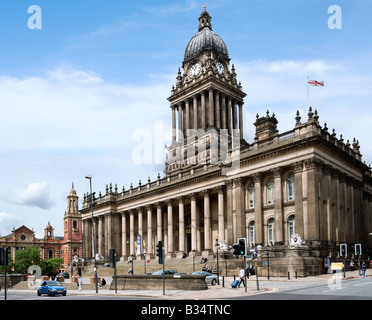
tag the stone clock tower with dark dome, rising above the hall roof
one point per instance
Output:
(207, 104)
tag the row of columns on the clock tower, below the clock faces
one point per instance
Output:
(208, 108)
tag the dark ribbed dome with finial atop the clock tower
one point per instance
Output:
(205, 39)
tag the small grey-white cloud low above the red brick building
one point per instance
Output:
(34, 195)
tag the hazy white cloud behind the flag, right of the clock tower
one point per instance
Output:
(281, 87)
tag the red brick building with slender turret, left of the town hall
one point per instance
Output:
(51, 246)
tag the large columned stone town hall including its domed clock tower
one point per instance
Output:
(299, 194)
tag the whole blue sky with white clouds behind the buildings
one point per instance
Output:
(74, 94)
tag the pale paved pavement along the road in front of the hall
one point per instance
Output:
(213, 292)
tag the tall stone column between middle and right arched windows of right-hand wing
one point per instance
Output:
(278, 206)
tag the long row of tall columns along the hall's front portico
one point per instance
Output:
(113, 227)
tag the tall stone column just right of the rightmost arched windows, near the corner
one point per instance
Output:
(299, 213)
